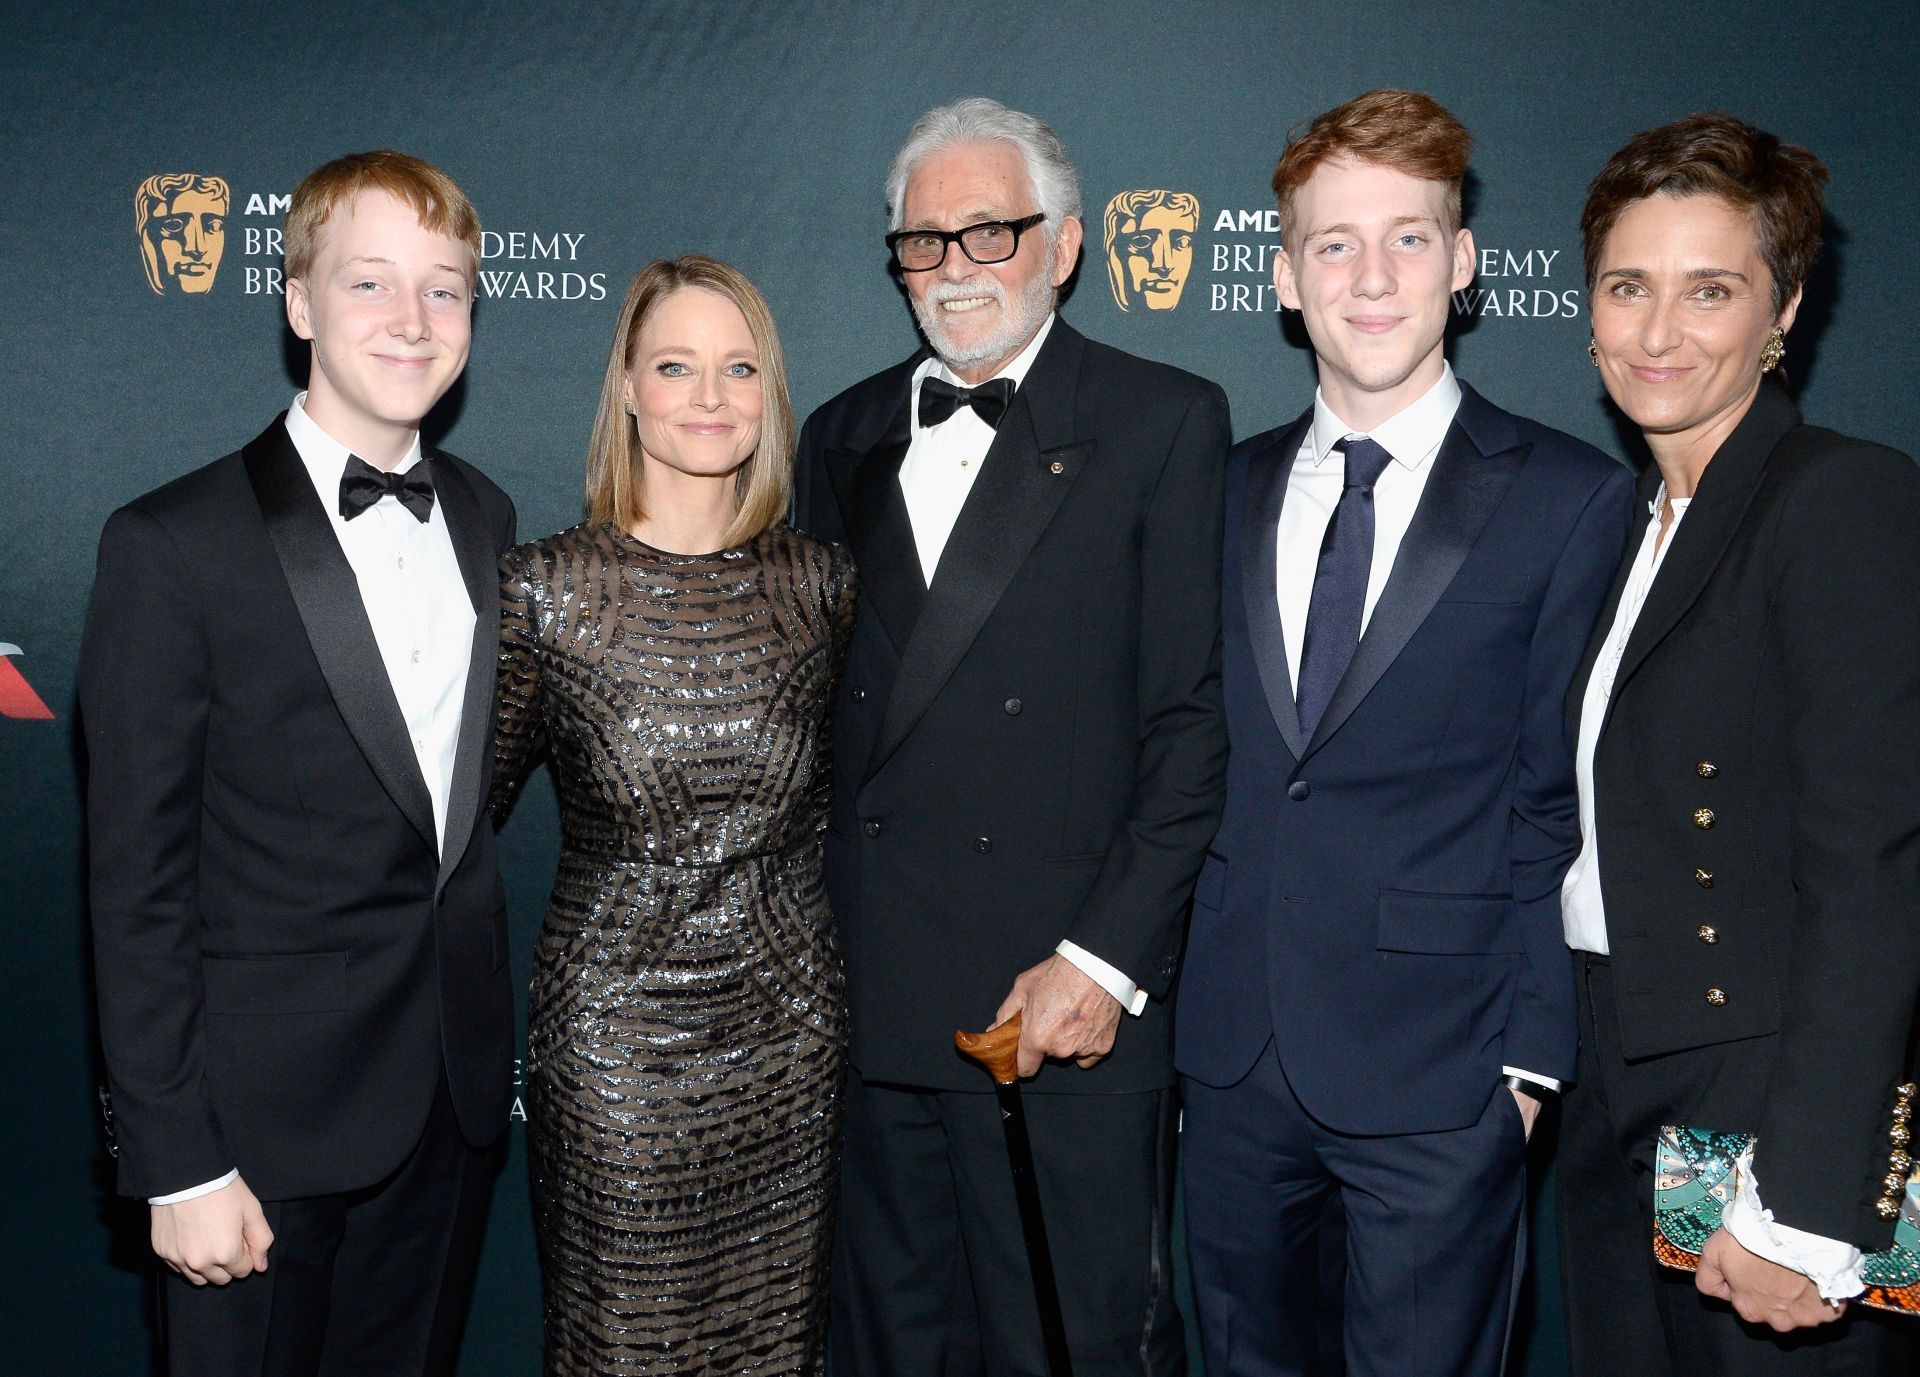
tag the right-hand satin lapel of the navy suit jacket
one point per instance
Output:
(1460, 498)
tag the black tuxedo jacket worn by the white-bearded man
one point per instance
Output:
(1032, 748)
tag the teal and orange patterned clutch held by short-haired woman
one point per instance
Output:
(1696, 1176)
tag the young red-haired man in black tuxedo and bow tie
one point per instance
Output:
(287, 687)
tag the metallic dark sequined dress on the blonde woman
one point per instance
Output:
(688, 1023)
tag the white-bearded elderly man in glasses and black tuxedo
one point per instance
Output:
(1028, 765)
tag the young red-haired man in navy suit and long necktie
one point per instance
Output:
(1378, 996)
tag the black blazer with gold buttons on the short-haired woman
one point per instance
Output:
(1758, 802)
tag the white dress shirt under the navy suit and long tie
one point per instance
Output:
(1314, 485)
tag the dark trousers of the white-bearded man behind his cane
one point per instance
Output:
(930, 1267)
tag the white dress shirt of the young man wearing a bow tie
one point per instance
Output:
(423, 621)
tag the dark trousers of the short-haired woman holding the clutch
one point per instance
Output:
(1625, 1313)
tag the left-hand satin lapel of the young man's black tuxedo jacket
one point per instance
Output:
(331, 610)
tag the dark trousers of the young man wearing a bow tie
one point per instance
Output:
(370, 1284)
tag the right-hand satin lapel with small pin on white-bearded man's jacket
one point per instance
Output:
(1022, 483)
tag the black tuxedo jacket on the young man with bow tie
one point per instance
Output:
(283, 963)
